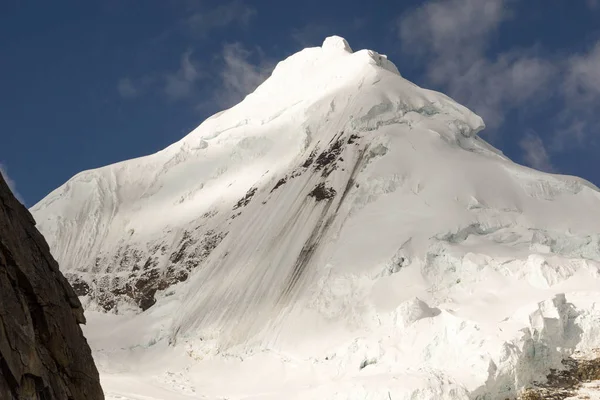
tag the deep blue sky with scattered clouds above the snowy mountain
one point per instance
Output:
(84, 84)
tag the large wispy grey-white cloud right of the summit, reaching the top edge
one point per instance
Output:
(452, 37)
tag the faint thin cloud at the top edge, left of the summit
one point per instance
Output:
(202, 22)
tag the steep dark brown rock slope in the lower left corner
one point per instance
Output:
(43, 354)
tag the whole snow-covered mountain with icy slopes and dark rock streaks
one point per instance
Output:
(341, 233)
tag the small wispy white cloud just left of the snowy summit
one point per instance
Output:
(240, 75)
